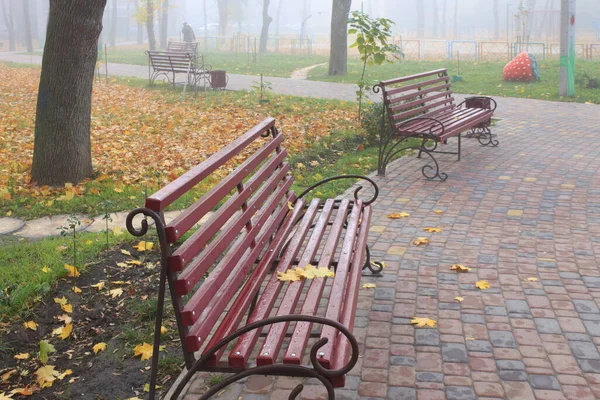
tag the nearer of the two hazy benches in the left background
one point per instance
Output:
(170, 64)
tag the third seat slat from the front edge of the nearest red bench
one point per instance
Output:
(297, 345)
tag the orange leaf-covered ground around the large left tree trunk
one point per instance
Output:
(141, 136)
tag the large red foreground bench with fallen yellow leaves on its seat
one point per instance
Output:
(260, 226)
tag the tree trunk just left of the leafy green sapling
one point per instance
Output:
(338, 54)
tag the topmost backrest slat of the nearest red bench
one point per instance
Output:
(168, 194)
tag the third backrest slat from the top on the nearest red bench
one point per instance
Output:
(187, 251)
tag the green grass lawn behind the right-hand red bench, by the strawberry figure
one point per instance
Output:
(478, 78)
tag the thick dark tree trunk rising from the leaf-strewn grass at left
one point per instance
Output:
(62, 148)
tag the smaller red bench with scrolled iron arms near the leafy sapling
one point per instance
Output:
(422, 106)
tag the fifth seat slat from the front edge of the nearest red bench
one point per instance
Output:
(242, 350)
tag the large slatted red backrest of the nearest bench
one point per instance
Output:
(249, 204)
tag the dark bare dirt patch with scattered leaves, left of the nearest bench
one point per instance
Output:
(122, 322)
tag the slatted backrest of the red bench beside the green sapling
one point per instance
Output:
(413, 95)
